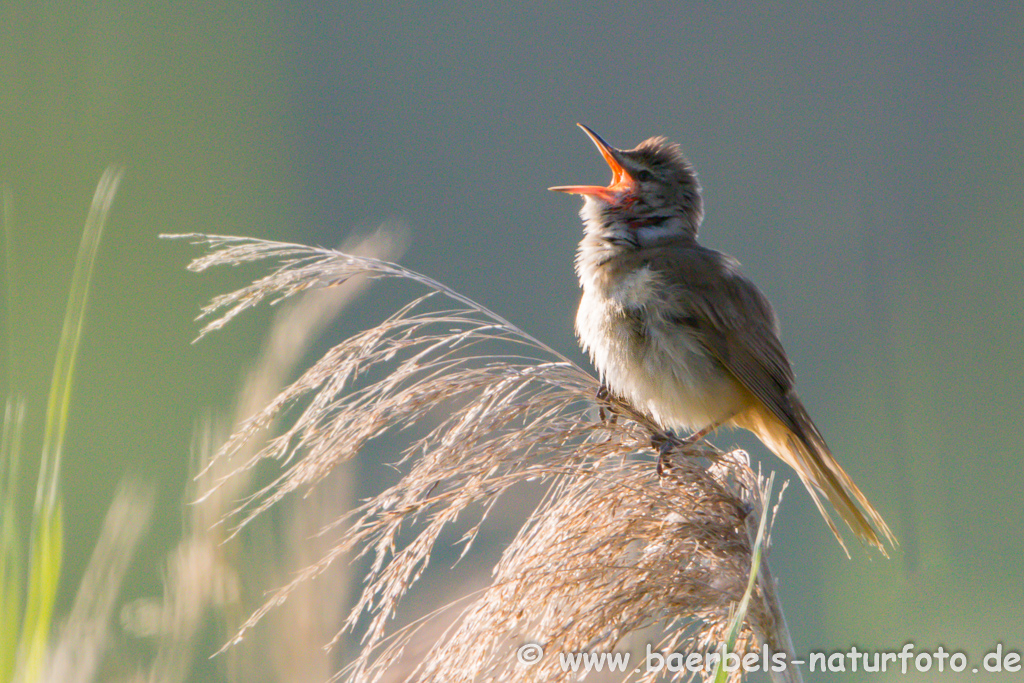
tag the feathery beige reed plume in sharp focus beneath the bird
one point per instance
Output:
(613, 549)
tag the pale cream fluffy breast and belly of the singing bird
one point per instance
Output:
(652, 362)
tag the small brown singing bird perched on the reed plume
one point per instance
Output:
(678, 332)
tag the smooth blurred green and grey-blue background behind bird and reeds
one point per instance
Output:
(866, 164)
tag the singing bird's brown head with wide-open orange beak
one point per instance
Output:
(654, 194)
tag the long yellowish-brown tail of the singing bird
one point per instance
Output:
(806, 452)
